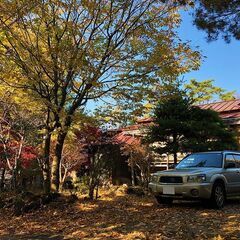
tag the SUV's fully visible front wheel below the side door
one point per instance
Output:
(218, 196)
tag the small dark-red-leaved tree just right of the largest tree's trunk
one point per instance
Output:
(99, 150)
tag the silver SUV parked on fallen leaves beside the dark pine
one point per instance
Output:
(212, 176)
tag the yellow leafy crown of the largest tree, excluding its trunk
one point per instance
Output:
(49, 45)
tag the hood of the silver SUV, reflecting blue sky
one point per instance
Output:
(188, 171)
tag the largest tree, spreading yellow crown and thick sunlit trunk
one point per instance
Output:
(70, 52)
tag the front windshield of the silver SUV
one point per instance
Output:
(201, 160)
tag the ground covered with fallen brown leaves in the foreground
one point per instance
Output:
(120, 216)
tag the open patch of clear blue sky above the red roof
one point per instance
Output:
(222, 62)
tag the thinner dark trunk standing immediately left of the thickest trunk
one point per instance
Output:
(46, 164)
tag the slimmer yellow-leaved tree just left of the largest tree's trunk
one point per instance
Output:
(22, 104)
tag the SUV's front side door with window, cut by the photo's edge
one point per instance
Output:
(232, 174)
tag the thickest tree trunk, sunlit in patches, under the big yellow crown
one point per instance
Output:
(56, 161)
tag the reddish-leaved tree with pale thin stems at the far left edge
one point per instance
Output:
(17, 137)
